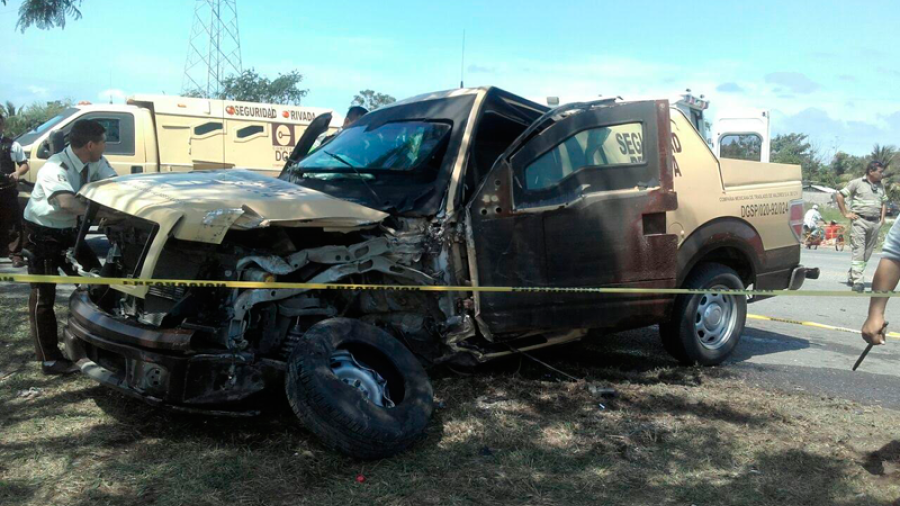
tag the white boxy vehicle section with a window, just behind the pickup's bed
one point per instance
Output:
(742, 135)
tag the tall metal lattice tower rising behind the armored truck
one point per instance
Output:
(214, 49)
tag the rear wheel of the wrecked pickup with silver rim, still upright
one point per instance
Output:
(705, 328)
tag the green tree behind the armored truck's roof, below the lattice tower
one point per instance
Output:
(252, 87)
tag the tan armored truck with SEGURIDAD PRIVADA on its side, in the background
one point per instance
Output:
(162, 133)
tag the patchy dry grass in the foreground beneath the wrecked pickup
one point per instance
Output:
(508, 434)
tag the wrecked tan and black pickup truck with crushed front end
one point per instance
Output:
(471, 187)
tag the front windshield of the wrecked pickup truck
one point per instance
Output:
(396, 147)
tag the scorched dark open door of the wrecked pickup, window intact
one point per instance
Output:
(580, 204)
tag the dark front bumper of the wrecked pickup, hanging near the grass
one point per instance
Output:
(160, 366)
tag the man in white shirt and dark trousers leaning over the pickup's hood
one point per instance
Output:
(51, 218)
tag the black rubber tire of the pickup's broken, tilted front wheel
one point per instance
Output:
(341, 415)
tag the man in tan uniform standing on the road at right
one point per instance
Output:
(868, 206)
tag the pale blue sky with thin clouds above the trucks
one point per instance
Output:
(826, 68)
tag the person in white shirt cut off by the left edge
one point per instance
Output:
(13, 165)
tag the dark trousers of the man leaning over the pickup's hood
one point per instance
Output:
(48, 249)
